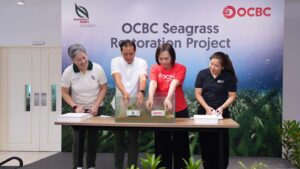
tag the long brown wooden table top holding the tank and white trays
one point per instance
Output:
(179, 123)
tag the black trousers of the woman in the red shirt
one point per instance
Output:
(169, 144)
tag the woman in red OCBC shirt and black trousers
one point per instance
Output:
(167, 77)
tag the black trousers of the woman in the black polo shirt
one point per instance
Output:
(209, 145)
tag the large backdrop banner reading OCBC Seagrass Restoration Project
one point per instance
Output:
(250, 32)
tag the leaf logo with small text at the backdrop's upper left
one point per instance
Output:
(83, 16)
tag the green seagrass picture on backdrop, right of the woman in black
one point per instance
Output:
(259, 115)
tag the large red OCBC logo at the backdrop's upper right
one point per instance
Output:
(230, 12)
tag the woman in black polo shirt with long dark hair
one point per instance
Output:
(215, 90)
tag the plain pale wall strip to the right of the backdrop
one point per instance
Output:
(291, 61)
